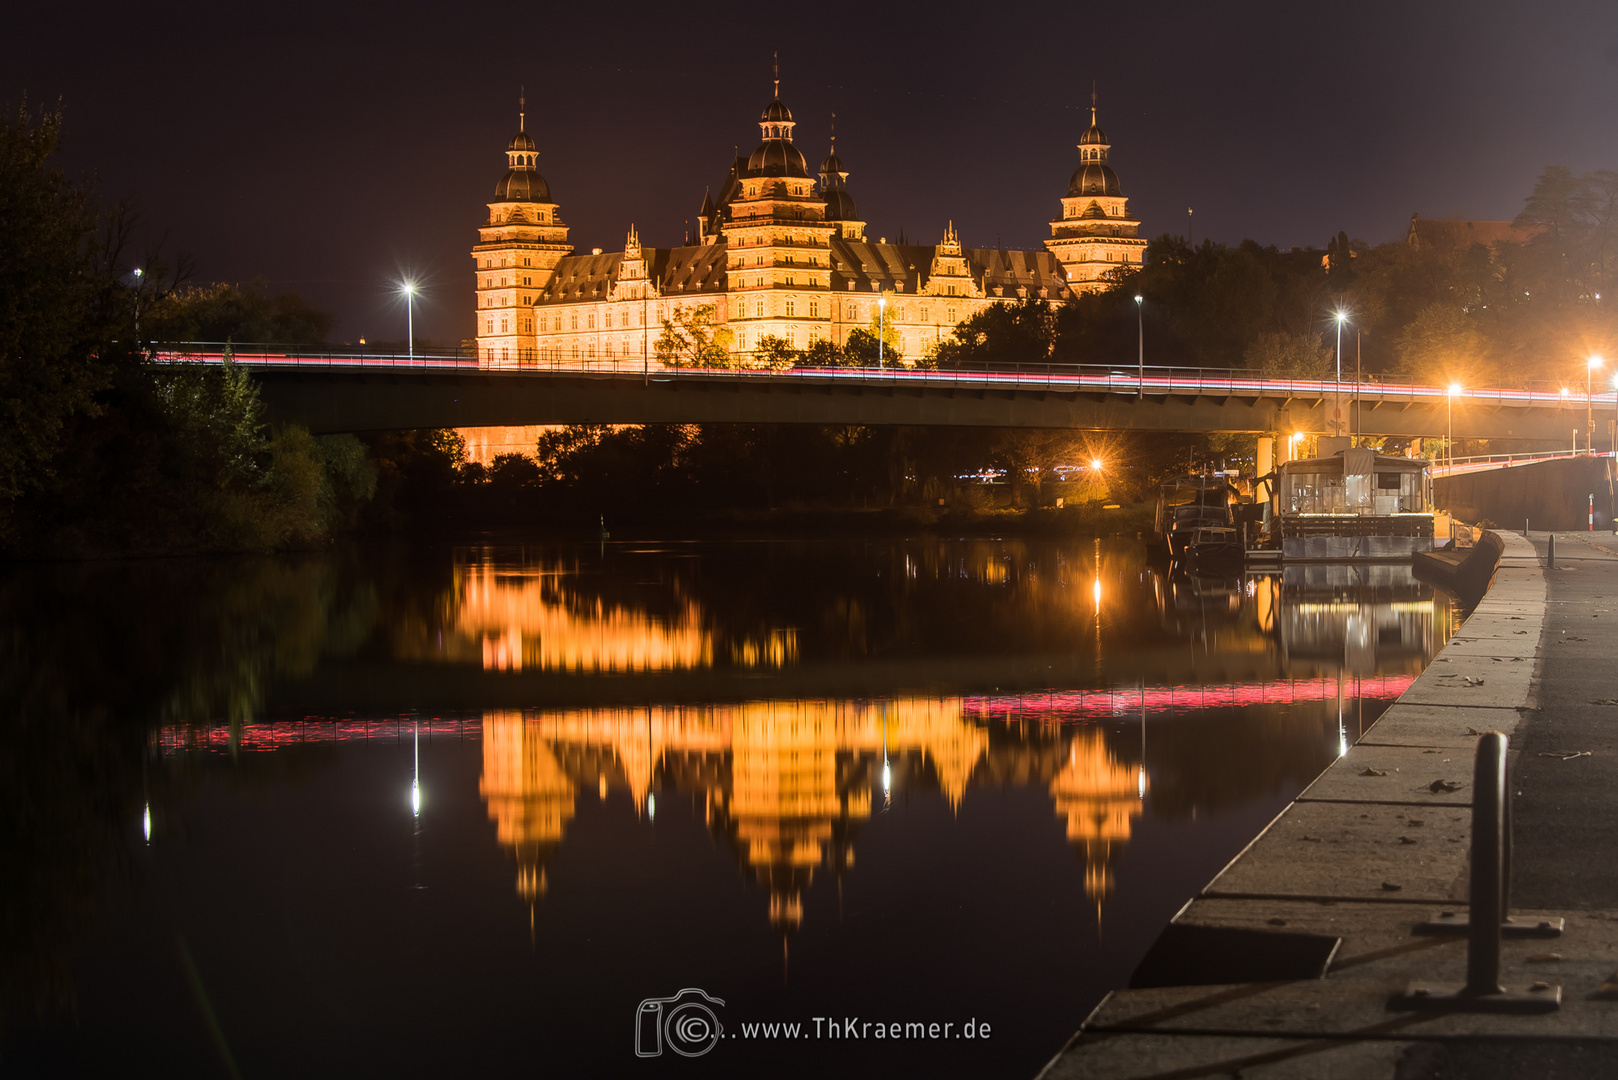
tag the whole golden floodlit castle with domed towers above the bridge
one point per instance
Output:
(779, 253)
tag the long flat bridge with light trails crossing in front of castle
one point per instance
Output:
(337, 393)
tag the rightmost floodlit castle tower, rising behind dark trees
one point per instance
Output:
(1096, 239)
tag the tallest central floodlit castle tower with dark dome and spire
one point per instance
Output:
(779, 257)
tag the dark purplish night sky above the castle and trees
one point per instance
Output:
(331, 148)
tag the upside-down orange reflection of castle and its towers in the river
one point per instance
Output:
(786, 783)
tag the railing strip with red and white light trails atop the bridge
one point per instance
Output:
(1158, 381)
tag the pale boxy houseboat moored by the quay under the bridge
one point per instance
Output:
(1353, 506)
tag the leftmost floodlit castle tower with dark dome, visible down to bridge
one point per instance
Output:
(517, 252)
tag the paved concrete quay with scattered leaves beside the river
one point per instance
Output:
(1379, 846)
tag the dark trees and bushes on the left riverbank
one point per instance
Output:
(106, 453)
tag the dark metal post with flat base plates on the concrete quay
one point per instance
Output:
(1489, 899)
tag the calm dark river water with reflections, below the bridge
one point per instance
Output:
(415, 812)
